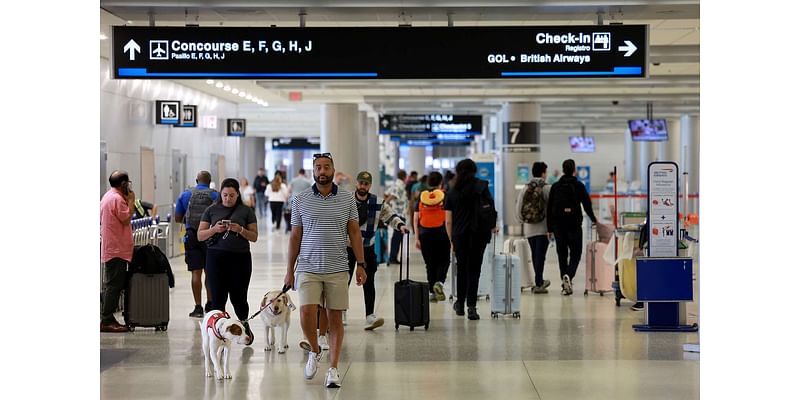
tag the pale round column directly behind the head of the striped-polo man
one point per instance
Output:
(339, 126)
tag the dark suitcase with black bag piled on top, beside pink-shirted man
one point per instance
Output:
(147, 293)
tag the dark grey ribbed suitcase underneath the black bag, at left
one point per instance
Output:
(147, 301)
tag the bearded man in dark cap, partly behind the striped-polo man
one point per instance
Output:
(368, 207)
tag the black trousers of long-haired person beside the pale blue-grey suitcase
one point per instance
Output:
(469, 257)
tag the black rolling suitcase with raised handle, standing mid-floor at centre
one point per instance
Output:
(411, 302)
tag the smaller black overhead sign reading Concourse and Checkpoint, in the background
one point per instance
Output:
(389, 124)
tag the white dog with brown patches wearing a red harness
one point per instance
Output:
(219, 331)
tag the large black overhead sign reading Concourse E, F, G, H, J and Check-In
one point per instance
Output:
(608, 51)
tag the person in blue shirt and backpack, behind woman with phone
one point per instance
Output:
(189, 209)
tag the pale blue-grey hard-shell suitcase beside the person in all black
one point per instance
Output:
(506, 277)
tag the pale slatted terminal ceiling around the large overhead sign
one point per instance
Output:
(673, 86)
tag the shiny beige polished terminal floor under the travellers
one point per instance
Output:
(572, 347)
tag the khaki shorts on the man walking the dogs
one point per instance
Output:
(332, 288)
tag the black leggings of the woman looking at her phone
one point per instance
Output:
(228, 273)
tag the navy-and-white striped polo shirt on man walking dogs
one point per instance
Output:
(323, 249)
